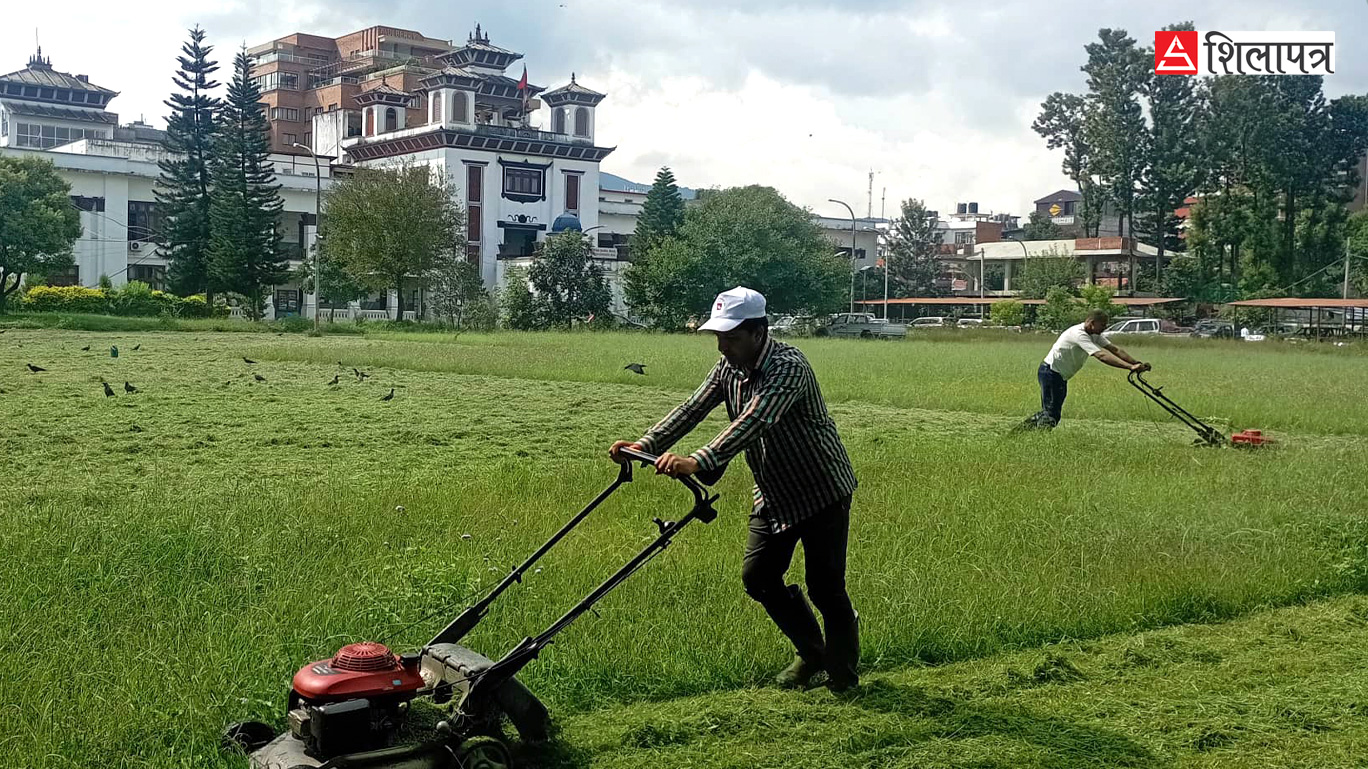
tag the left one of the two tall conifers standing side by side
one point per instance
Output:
(184, 191)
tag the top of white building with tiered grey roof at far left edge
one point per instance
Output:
(42, 109)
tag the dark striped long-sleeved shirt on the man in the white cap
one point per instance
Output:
(780, 421)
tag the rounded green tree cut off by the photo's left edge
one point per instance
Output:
(38, 222)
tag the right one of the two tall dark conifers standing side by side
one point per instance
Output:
(246, 252)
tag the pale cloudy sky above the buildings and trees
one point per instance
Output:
(808, 96)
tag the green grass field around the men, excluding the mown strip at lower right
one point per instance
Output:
(176, 555)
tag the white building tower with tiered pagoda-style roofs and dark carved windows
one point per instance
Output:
(514, 179)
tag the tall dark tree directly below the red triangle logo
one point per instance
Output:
(1174, 164)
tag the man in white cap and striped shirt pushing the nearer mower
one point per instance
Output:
(804, 482)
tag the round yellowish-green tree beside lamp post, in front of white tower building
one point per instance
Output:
(388, 226)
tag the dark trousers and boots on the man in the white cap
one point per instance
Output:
(768, 556)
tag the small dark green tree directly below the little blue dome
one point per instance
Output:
(567, 283)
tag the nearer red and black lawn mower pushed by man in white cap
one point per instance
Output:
(347, 712)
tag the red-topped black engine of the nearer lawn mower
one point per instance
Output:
(355, 701)
